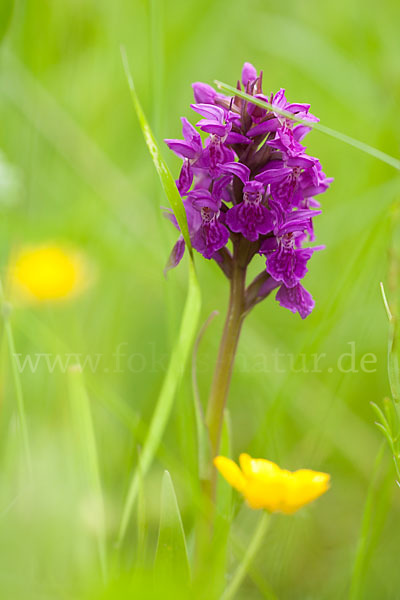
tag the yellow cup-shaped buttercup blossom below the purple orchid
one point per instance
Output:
(265, 485)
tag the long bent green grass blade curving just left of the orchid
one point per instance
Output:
(188, 327)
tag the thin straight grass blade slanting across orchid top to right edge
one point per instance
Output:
(343, 137)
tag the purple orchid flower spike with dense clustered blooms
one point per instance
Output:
(251, 184)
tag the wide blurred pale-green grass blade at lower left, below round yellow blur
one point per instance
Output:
(84, 423)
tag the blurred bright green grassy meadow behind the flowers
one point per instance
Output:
(74, 169)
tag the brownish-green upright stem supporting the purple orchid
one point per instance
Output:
(227, 352)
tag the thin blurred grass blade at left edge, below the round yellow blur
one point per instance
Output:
(6, 309)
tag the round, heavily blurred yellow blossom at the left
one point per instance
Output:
(48, 273)
